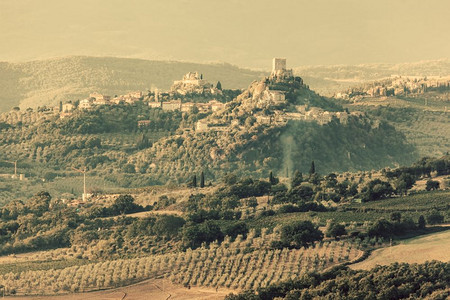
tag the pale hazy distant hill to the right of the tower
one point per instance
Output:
(328, 80)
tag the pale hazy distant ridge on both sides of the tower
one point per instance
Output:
(46, 82)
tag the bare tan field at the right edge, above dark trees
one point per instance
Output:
(416, 250)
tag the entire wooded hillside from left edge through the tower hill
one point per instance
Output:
(250, 135)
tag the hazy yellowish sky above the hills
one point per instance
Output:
(243, 32)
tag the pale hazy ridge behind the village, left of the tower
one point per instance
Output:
(46, 82)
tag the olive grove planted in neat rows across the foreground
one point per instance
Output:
(241, 264)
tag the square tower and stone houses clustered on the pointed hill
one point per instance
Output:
(271, 101)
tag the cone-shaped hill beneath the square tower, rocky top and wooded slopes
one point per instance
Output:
(261, 131)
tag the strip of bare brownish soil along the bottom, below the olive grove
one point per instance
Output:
(154, 289)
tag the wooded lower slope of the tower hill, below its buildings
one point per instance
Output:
(334, 147)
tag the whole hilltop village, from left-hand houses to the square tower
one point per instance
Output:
(265, 100)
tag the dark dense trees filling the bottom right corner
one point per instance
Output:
(396, 281)
